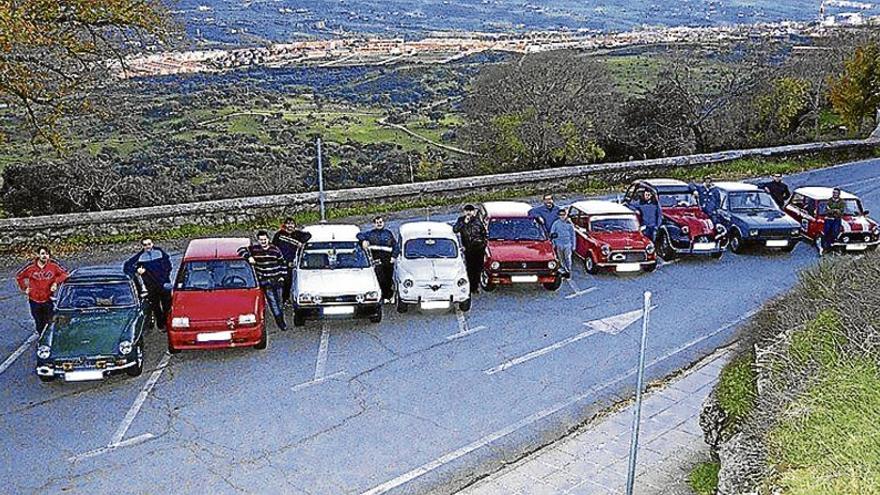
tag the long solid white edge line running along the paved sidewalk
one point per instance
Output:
(538, 416)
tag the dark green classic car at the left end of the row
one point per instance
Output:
(98, 328)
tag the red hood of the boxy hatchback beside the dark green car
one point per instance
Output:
(215, 305)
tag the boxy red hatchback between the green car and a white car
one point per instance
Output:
(216, 301)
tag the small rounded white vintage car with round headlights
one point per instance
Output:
(430, 270)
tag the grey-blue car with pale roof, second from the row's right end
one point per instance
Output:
(753, 218)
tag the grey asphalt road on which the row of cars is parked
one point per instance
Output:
(419, 403)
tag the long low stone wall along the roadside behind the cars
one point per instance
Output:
(17, 232)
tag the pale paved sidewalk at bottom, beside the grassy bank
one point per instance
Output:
(594, 460)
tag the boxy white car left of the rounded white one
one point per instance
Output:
(335, 277)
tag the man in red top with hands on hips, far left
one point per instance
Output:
(39, 280)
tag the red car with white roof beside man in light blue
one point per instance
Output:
(609, 236)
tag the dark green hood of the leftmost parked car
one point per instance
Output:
(96, 332)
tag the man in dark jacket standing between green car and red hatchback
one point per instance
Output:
(153, 265)
